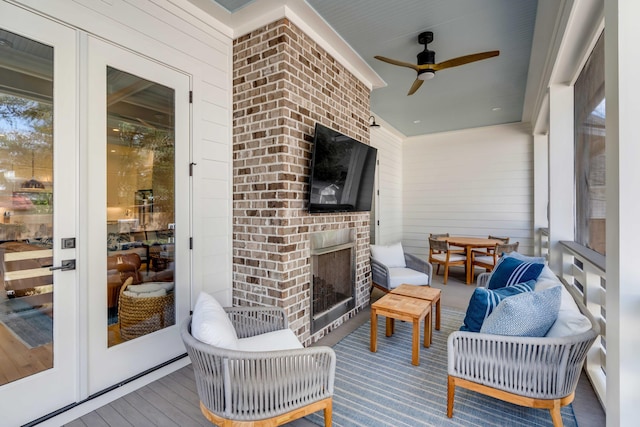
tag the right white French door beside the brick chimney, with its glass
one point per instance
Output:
(137, 213)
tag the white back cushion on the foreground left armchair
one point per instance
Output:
(211, 324)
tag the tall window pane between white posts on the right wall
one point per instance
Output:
(590, 152)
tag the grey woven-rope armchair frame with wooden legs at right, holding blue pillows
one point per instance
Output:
(535, 372)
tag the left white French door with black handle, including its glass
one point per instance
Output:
(39, 209)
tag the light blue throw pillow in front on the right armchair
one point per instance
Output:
(530, 314)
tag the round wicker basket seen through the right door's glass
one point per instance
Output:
(139, 316)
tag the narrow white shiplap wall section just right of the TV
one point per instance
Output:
(388, 197)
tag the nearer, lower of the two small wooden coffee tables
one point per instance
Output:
(401, 307)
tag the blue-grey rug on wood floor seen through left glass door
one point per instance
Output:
(27, 323)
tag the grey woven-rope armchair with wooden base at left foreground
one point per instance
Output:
(266, 388)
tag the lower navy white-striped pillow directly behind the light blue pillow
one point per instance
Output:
(483, 301)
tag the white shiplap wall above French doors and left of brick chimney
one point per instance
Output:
(178, 35)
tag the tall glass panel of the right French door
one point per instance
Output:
(140, 206)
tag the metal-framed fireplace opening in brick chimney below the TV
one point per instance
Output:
(333, 278)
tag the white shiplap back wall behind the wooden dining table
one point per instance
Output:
(472, 182)
